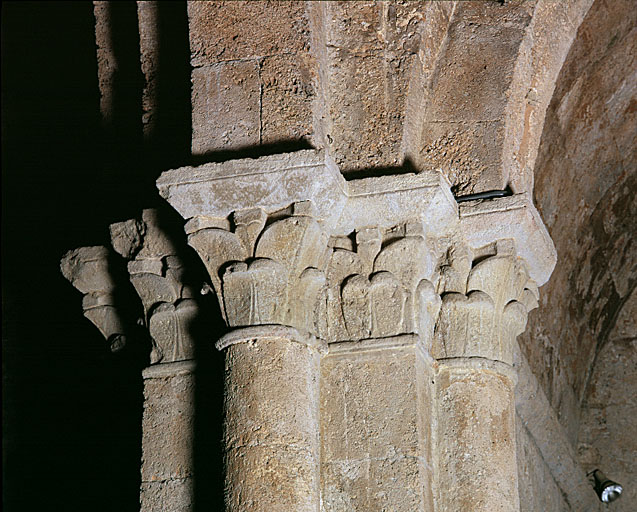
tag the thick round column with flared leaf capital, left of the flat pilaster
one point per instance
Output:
(267, 275)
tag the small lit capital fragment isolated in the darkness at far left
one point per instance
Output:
(87, 270)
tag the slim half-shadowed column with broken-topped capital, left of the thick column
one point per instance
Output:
(170, 312)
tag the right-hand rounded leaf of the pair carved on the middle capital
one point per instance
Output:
(388, 305)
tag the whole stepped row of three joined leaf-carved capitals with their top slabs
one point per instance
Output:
(288, 241)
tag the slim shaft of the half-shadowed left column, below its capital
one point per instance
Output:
(167, 442)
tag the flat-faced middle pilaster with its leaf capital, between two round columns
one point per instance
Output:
(376, 379)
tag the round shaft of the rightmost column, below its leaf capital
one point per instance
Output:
(477, 469)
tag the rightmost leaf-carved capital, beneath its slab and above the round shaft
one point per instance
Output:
(485, 306)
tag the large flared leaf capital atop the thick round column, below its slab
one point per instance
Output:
(265, 270)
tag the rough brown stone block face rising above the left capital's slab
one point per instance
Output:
(253, 82)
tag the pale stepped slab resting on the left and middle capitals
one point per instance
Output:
(335, 199)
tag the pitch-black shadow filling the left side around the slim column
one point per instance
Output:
(71, 409)
